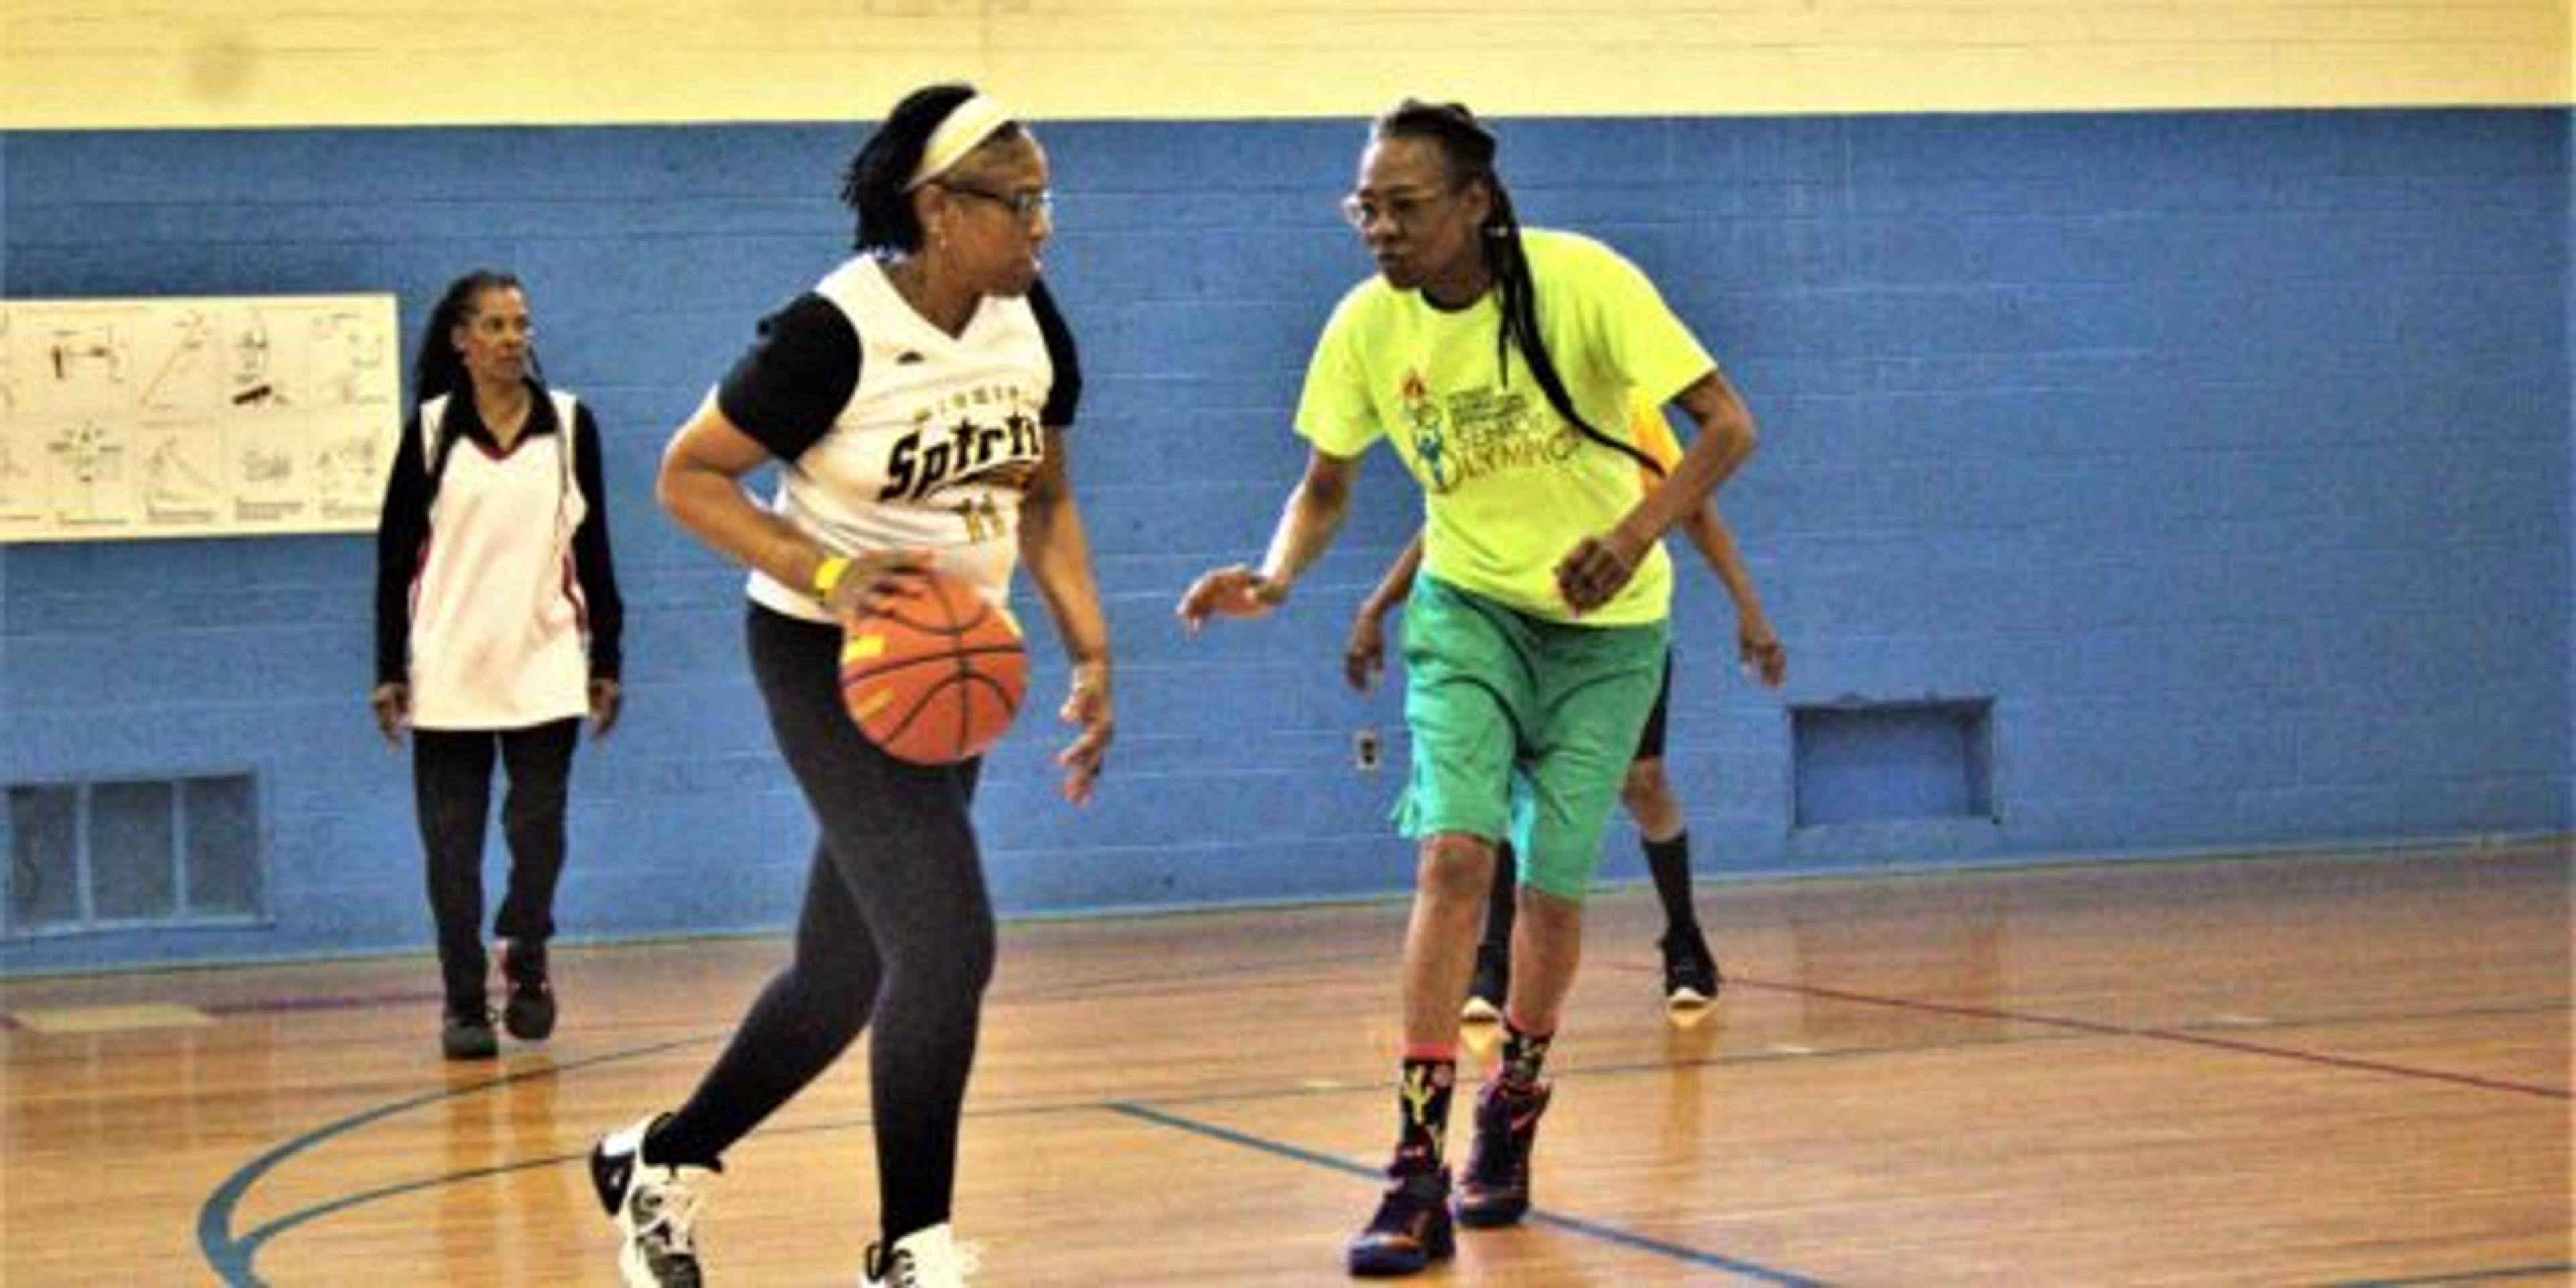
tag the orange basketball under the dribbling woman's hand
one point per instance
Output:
(934, 676)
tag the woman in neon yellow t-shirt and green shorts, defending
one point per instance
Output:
(1501, 362)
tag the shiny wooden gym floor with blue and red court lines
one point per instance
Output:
(2322, 1070)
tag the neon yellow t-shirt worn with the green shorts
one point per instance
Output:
(1508, 486)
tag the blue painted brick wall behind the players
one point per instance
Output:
(2227, 452)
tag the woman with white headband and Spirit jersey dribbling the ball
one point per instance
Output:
(916, 406)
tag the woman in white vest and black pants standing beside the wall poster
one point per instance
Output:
(496, 632)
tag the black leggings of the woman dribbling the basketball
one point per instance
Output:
(895, 931)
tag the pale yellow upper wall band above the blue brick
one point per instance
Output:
(388, 63)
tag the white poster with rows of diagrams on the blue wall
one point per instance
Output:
(133, 419)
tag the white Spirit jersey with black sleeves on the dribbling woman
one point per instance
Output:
(895, 434)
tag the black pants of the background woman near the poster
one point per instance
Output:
(452, 784)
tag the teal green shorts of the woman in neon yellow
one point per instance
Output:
(1521, 728)
